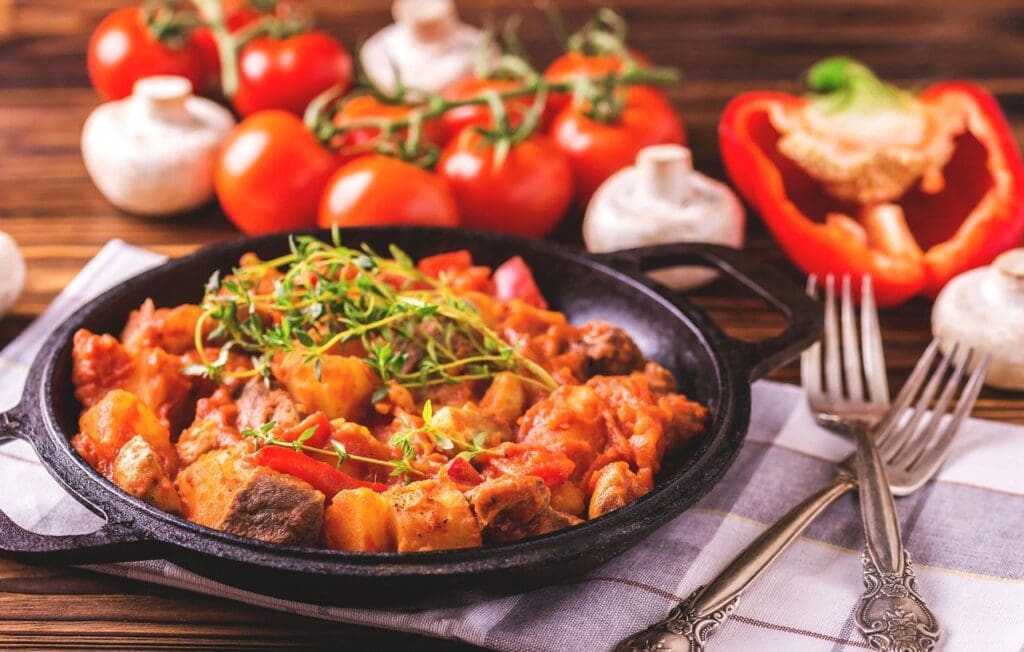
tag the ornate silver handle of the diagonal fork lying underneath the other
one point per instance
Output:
(691, 624)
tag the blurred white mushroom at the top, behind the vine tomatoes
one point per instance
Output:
(428, 45)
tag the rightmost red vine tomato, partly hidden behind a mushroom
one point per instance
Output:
(596, 150)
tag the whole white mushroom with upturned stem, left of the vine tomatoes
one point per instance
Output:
(154, 153)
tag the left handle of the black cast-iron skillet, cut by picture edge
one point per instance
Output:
(115, 541)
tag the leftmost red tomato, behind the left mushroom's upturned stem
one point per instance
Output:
(122, 51)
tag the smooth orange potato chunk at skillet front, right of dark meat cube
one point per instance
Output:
(360, 520)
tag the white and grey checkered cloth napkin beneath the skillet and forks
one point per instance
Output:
(965, 533)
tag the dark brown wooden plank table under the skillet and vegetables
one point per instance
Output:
(50, 206)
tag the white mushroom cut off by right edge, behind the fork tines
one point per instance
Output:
(985, 309)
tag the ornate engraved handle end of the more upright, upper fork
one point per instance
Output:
(892, 615)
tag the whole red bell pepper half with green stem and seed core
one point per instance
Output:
(865, 179)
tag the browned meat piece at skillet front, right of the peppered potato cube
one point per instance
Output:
(515, 507)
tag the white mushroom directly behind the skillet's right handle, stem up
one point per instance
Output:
(664, 200)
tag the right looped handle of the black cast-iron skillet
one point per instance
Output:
(756, 359)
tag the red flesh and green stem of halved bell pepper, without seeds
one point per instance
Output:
(935, 234)
